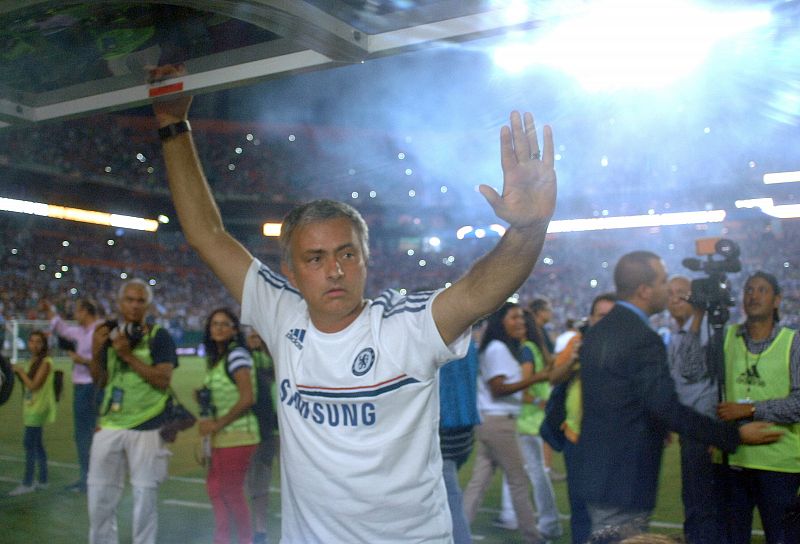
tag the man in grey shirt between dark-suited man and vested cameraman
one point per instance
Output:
(696, 388)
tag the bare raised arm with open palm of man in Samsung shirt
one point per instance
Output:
(527, 204)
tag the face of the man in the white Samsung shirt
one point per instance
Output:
(328, 269)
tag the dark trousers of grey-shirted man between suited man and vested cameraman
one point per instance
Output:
(697, 489)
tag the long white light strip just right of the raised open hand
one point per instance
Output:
(636, 221)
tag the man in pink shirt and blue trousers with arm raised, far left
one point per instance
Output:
(86, 398)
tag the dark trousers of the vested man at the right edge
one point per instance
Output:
(744, 489)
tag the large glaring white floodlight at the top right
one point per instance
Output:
(615, 44)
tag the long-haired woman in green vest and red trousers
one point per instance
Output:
(228, 396)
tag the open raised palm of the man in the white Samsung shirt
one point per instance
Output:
(529, 178)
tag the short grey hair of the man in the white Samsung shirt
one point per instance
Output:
(316, 211)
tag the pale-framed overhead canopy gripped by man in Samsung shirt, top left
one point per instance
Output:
(62, 59)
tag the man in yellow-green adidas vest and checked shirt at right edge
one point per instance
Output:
(762, 382)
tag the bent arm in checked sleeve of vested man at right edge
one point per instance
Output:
(782, 410)
